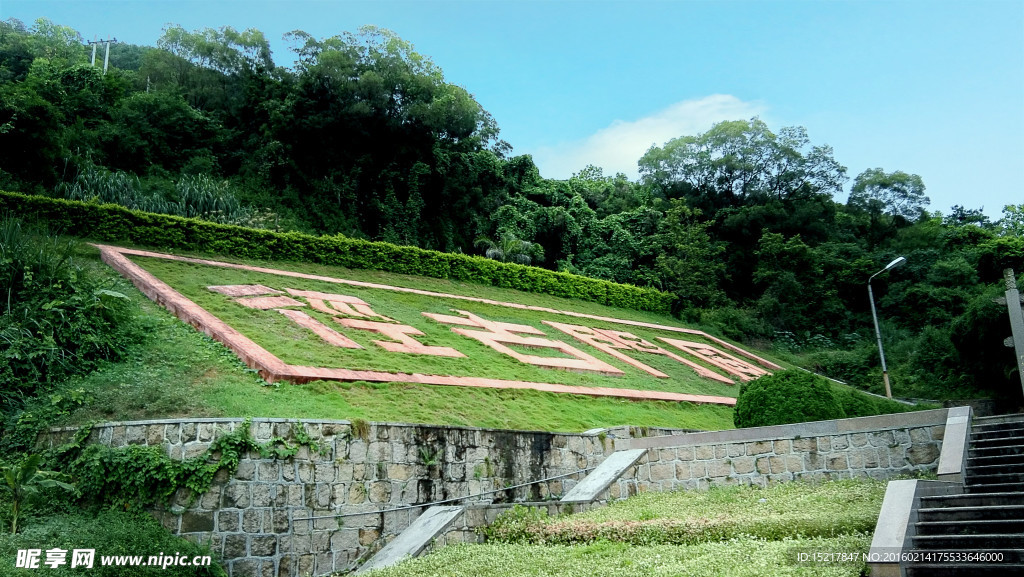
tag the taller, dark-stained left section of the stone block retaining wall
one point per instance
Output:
(319, 514)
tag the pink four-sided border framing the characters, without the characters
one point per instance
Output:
(274, 369)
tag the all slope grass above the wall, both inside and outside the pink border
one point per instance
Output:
(177, 372)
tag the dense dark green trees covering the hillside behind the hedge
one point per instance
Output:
(363, 137)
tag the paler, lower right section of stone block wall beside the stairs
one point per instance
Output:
(878, 447)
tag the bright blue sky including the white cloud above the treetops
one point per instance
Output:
(934, 89)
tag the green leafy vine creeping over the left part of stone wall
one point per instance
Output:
(143, 476)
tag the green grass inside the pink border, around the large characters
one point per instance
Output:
(300, 347)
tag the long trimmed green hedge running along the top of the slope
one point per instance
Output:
(115, 224)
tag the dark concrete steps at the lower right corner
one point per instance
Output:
(988, 519)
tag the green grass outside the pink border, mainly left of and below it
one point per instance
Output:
(177, 372)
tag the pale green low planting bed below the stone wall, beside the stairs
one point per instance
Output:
(739, 531)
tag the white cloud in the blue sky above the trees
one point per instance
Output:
(618, 148)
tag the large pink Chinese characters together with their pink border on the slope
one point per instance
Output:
(344, 321)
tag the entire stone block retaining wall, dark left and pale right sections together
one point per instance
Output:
(318, 514)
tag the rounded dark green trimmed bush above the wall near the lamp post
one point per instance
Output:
(786, 397)
